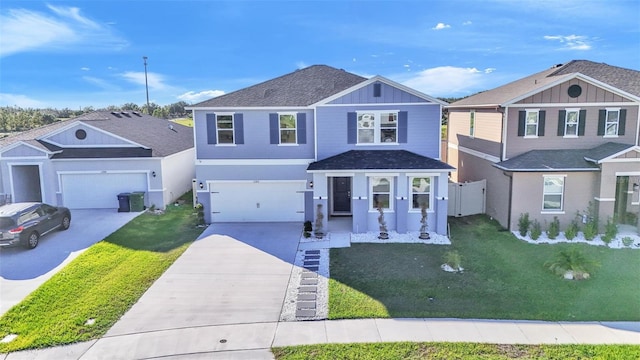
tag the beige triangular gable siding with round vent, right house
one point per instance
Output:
(558, 94)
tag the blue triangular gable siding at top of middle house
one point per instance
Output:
(378, 93)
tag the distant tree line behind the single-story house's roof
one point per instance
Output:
(16, 119)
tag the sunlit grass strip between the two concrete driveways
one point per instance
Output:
(100, 284)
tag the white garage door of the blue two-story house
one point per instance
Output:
(257, 201)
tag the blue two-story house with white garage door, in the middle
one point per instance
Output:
(322, 136)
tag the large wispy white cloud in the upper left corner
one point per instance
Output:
(64, 28)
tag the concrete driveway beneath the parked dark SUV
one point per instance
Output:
(23, 270)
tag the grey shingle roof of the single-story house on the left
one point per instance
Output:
(146, 130)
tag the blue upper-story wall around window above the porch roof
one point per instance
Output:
(423, 130)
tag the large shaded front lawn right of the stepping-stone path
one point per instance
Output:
(504, 278)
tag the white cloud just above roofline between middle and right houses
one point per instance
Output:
(449, 80)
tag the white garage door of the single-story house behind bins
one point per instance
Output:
(99, 191)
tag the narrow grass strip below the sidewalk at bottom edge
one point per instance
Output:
(405, 350)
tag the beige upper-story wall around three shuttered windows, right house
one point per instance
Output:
(517, 145)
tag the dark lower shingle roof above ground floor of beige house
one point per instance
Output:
(561, 160)
